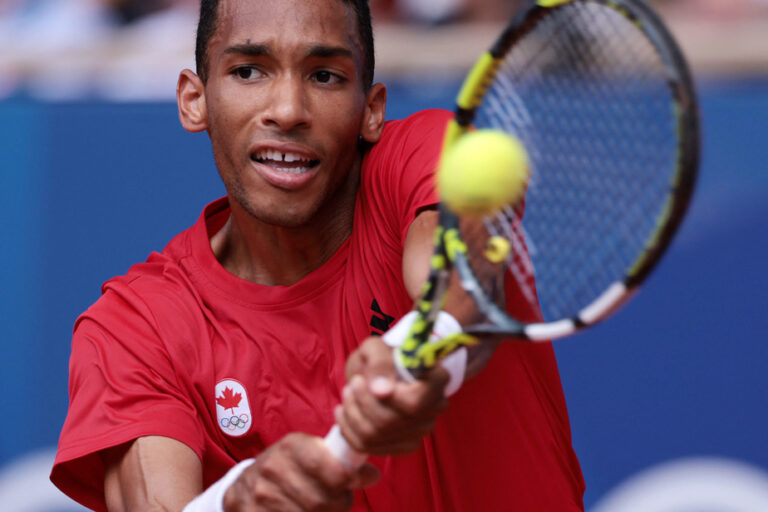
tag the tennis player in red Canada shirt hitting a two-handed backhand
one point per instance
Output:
(205, 378)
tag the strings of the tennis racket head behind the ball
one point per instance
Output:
(587, 94)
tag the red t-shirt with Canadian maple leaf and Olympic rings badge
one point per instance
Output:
(179, 347)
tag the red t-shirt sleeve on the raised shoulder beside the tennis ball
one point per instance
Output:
(399, 171)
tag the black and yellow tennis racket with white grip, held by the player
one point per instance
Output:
(603, 101)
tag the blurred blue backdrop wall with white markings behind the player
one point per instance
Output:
(668, 399)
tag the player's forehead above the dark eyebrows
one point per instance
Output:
(287, 22)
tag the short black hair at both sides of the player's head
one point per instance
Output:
(206, 27)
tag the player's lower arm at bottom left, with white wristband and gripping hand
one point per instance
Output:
(156, 474)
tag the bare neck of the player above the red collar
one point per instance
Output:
(274, 255)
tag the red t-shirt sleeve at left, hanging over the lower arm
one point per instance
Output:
(122, 386)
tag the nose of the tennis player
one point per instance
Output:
(287, 106)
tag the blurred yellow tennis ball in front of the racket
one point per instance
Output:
(483, 171)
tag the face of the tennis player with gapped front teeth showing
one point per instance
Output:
(285, 104)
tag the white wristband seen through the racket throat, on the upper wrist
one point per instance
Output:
(455, 363)
